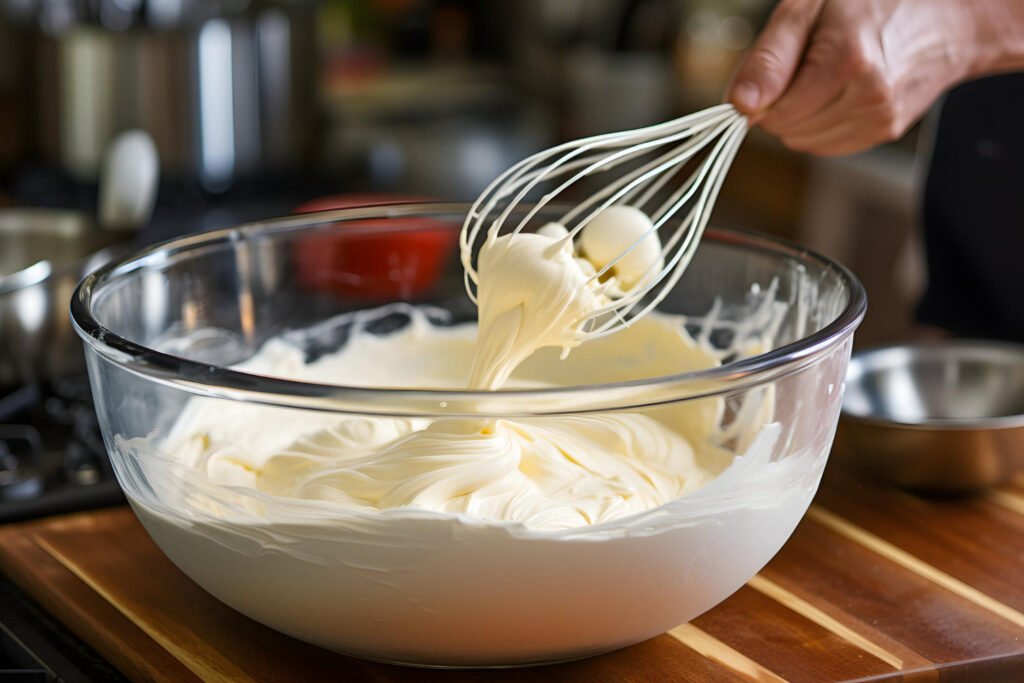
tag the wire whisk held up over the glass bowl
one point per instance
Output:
(657, 153)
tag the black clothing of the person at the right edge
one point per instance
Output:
(974, 212)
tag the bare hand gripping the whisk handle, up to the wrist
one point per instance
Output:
(835, 77)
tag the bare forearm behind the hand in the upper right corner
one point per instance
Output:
(1000, 36)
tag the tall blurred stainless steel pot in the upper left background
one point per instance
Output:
(226, 95)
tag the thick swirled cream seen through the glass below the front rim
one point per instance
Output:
(554, 474)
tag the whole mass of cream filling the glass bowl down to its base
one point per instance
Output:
(454, 541)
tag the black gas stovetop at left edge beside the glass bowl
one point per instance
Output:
(53, 458)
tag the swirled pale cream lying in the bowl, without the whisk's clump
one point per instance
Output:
(546, 474)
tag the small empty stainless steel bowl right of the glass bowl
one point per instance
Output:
(941, 416)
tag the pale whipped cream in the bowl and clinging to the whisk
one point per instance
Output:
(546, 474)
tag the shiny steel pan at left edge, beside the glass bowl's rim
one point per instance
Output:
(44, 255)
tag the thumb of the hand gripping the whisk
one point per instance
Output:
(765, 72)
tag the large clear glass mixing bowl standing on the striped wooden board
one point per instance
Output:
(162, 328)
